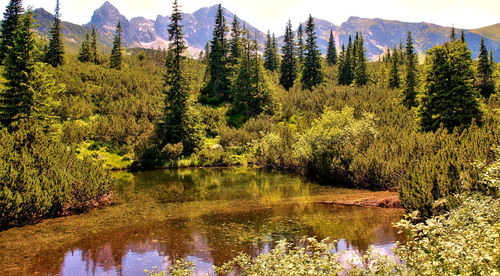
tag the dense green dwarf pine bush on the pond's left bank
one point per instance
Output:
(41, 178)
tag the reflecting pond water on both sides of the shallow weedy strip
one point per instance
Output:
(215, 238)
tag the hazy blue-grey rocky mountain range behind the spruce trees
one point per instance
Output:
(378, 33)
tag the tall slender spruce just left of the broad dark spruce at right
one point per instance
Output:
(409, 92)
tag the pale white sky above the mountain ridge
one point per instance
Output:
(273, 14)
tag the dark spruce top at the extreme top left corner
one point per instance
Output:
(10, 23)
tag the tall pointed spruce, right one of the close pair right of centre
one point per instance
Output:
(312, 74)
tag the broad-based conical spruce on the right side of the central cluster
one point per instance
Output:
(252, 87)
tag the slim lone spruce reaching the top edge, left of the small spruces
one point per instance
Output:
(55, 52)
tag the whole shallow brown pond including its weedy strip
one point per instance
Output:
(205, 216)
